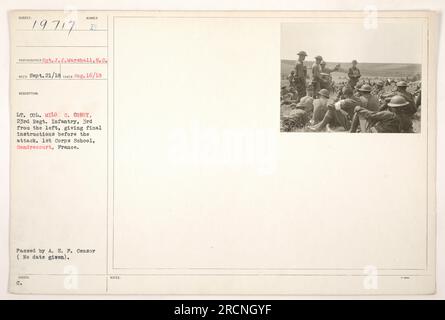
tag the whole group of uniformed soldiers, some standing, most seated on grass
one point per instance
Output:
(355, 107)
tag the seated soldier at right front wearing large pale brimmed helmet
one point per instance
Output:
(393, 120)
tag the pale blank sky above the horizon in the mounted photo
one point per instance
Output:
(390, 42)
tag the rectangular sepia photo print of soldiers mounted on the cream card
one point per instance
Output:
(350, 77)
